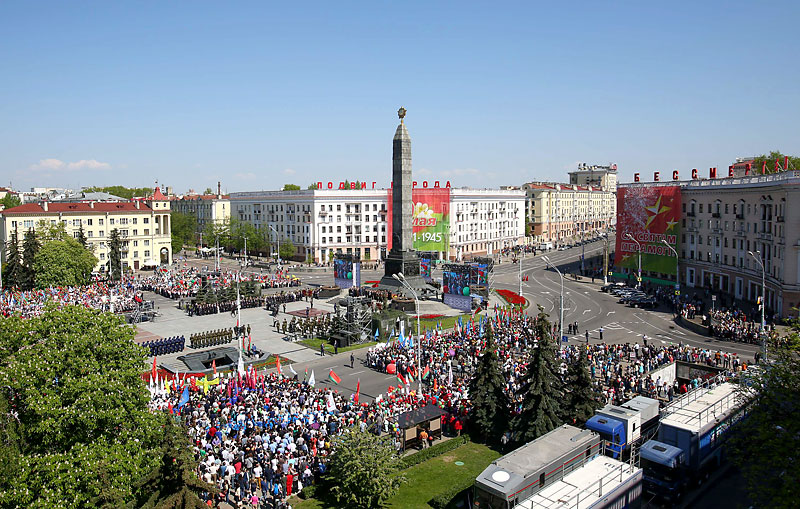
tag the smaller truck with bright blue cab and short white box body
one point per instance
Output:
(622, 426)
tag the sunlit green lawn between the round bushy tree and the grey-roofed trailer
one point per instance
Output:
(429, 478)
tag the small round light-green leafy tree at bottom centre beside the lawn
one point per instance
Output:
(364, 470)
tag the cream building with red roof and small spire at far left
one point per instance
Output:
(144, 226)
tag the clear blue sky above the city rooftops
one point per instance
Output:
(265, 93)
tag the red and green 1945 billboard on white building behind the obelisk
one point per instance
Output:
(430, 219)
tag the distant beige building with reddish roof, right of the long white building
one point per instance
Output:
(565, 213)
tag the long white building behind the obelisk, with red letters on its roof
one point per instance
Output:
(353, 221)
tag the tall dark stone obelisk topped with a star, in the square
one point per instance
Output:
(402, 258)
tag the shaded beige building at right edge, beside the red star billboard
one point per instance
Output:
(722, 219)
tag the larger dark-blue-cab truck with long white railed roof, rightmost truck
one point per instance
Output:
(688, 446)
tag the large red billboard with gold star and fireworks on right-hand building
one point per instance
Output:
(650, 215)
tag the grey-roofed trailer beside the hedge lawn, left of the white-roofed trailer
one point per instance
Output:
(523, 472)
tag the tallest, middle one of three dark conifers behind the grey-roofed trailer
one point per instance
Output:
(540, 387)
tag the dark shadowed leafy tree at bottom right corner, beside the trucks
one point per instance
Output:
(764, 446)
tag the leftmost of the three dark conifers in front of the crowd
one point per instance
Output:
(487, 390)
